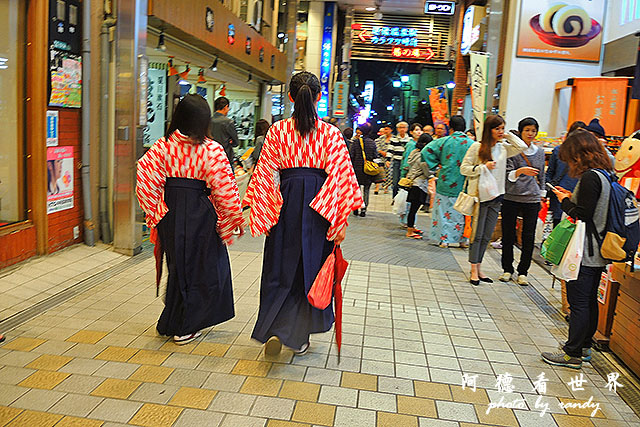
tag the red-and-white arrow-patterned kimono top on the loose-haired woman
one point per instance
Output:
(178, 157)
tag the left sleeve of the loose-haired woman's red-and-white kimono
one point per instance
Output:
(151, 177)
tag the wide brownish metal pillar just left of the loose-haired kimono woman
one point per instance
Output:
(131, 31)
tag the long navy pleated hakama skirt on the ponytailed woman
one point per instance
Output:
(294, 252)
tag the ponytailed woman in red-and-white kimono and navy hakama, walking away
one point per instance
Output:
(300, 195)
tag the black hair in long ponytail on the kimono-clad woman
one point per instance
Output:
(304, 89)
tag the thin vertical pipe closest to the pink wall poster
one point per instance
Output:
(89, 237)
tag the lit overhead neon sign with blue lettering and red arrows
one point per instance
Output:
(400, 38)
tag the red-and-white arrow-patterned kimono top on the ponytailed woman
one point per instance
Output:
(284, 148)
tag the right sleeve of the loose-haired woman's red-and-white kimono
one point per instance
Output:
(224, 193)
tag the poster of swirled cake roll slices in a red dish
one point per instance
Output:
(570, 30)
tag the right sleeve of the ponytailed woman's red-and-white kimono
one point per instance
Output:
(340, 193)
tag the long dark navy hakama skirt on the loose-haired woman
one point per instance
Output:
(199, 292)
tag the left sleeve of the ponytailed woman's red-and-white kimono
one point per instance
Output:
(263, 194)
